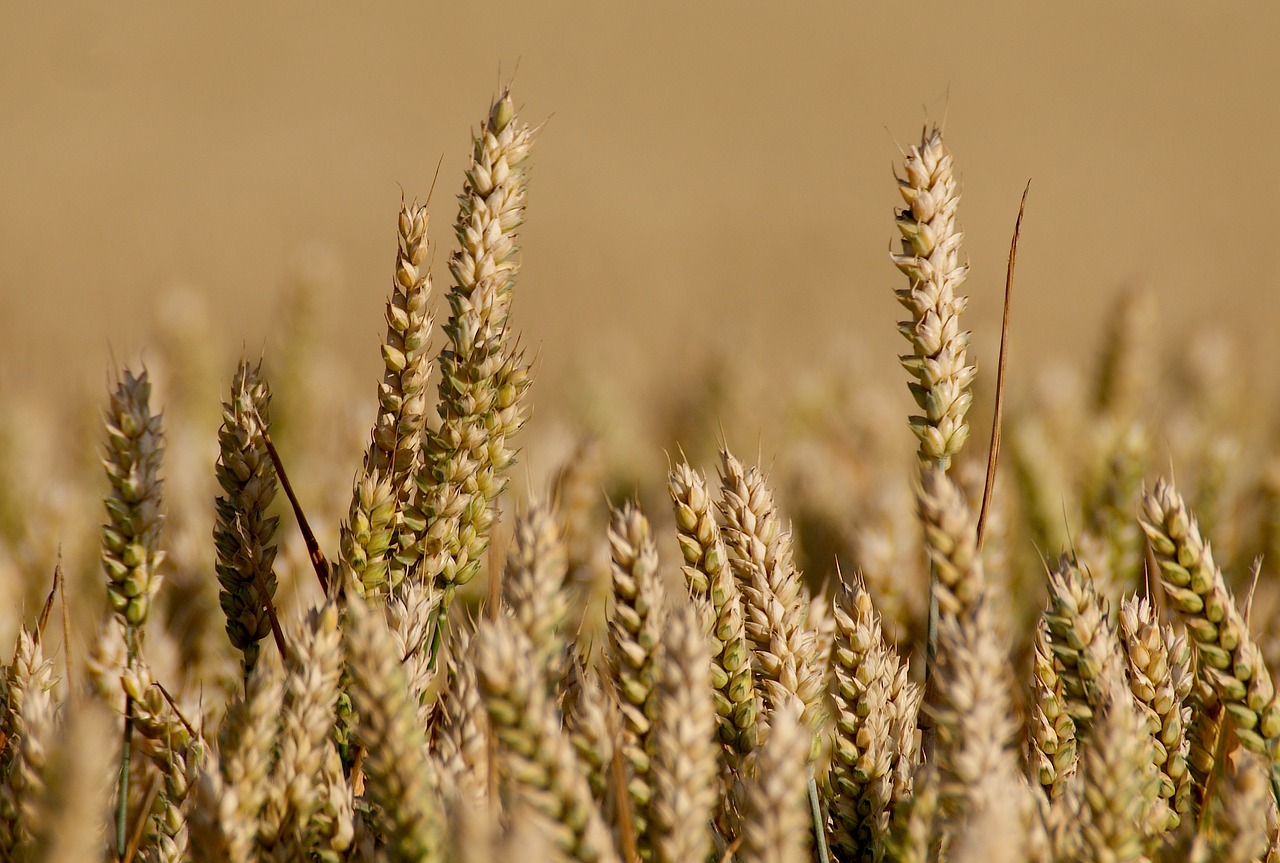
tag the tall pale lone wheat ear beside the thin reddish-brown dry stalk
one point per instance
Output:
(931, 261)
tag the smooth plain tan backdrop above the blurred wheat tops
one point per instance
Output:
(712, 179)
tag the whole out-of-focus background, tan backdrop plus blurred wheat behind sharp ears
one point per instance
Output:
(706, 257)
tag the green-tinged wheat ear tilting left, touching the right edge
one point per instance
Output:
(1229, 659)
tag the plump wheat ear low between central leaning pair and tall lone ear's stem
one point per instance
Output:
(868, 681)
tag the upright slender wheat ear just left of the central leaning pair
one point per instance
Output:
(636, 636)
